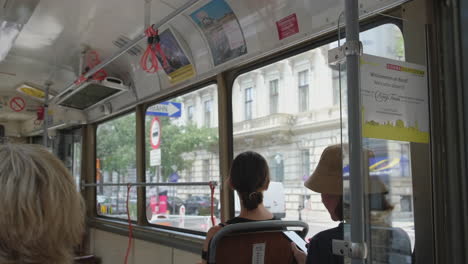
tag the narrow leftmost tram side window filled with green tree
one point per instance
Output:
(116, 163)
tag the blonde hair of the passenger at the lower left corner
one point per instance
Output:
(41, 211)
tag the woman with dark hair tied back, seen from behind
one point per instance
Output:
(249, 177)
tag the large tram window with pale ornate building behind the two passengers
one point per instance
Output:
(305, 119)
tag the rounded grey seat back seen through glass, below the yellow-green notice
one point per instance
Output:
(390, 245)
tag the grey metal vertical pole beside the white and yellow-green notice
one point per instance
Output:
(354, 125)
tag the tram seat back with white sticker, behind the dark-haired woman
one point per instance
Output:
(236, 243)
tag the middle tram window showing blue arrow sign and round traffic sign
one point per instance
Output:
(183, 148)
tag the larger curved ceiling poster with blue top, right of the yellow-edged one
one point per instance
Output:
(222, 31)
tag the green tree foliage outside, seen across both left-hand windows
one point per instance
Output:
(116, 144)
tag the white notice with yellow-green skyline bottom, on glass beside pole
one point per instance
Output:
(394, 99)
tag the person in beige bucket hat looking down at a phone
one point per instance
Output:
(327, 179)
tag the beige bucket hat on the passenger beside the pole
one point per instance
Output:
(328, 176)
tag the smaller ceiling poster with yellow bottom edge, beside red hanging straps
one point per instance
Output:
(178, 67)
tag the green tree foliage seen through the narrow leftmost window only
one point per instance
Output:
(116, 144)
